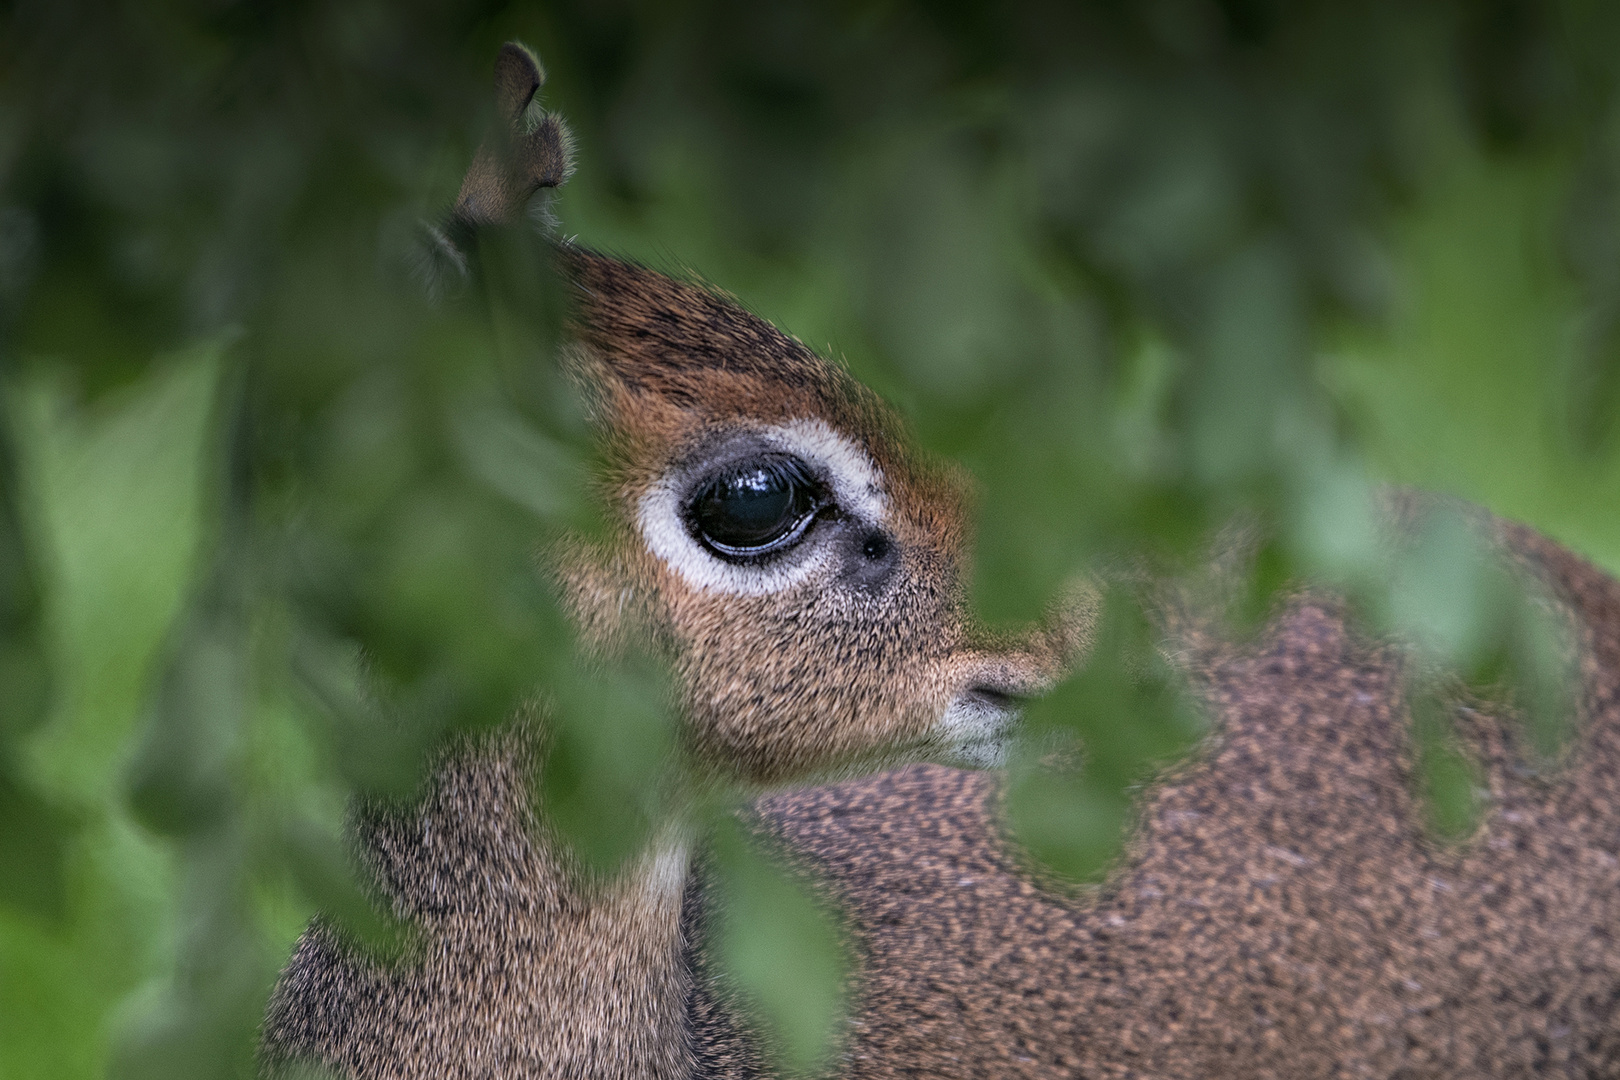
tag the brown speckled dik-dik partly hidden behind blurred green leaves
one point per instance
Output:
(1279, 911)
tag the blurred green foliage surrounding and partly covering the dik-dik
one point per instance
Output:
(268, 516)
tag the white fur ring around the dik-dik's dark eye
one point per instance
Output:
(853, 482)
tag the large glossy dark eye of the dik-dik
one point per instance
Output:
(757, 508)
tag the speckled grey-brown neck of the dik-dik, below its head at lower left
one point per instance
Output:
(522, 966)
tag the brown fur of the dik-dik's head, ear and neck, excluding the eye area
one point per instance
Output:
(521, 971)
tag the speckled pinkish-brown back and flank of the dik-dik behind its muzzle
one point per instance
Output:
(1281, 911)
